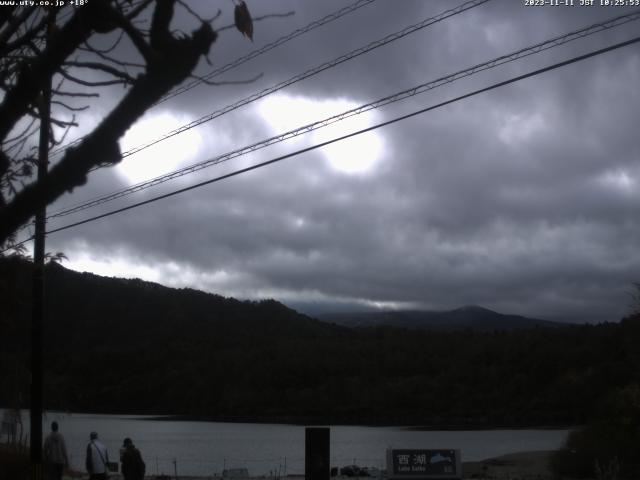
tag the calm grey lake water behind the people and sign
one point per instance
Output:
(205, 448)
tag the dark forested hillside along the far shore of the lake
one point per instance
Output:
(116, 345)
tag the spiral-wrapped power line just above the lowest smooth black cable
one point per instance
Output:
(537, 48)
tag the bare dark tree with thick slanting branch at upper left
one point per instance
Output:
(41, 45)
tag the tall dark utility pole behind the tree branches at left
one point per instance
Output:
(37, 314)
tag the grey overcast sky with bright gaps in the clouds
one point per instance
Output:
(524, 200)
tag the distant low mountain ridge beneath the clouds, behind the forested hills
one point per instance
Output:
(471, 317)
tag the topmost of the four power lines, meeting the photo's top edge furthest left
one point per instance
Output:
(251, 55)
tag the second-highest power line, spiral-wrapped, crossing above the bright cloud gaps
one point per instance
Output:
(309, 73)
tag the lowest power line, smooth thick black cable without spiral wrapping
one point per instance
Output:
(343, 137)
